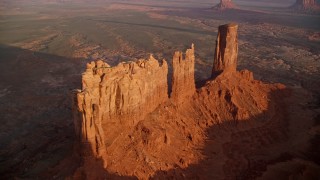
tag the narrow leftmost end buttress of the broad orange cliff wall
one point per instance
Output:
(87, 116)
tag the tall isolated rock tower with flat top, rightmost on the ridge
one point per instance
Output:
(226, 51)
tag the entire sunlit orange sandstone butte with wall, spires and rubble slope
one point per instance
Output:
(128, 125)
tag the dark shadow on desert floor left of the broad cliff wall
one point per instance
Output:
(37, 131)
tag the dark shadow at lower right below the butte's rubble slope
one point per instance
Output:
(249, 148)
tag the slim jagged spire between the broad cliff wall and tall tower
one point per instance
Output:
(183, 84)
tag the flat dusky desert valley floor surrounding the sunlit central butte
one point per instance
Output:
(45, 45)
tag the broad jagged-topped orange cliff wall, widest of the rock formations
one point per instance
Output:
(119, 95)
